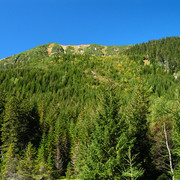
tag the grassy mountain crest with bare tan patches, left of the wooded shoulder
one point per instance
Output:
(54, 49)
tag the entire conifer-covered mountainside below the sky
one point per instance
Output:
(93, 113)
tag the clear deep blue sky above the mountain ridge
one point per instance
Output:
(25, 24)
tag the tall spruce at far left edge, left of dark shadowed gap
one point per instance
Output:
(10, 137)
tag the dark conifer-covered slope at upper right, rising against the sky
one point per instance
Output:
(165, 51)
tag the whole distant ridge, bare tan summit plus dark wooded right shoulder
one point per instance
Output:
(164, 52)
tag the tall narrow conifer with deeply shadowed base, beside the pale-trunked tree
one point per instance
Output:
(138, 130)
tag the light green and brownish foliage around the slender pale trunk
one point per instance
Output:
(162, 112)
